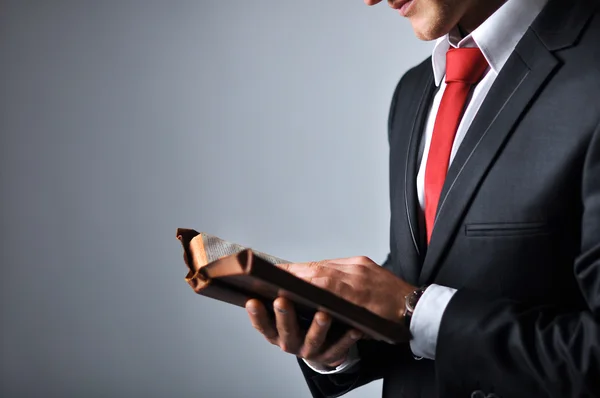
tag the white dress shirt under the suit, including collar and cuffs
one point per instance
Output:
(497, 38)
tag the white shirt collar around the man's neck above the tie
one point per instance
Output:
(496, 37)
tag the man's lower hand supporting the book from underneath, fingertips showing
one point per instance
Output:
(286, 334)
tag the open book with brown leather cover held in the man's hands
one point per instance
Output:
(236, 278)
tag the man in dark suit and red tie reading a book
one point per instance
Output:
(494, 262)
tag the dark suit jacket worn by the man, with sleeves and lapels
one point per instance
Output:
(517, 231)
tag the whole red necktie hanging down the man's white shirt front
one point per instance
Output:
(464, 68)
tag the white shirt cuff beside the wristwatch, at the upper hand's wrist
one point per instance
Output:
(427, 318)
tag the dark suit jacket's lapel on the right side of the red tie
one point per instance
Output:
(524, 74)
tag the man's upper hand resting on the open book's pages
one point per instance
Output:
(360, 281)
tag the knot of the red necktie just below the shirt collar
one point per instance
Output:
(465, 65)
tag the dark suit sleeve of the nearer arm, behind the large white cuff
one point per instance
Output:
(508, 349)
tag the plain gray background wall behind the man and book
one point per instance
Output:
(263, 122)
